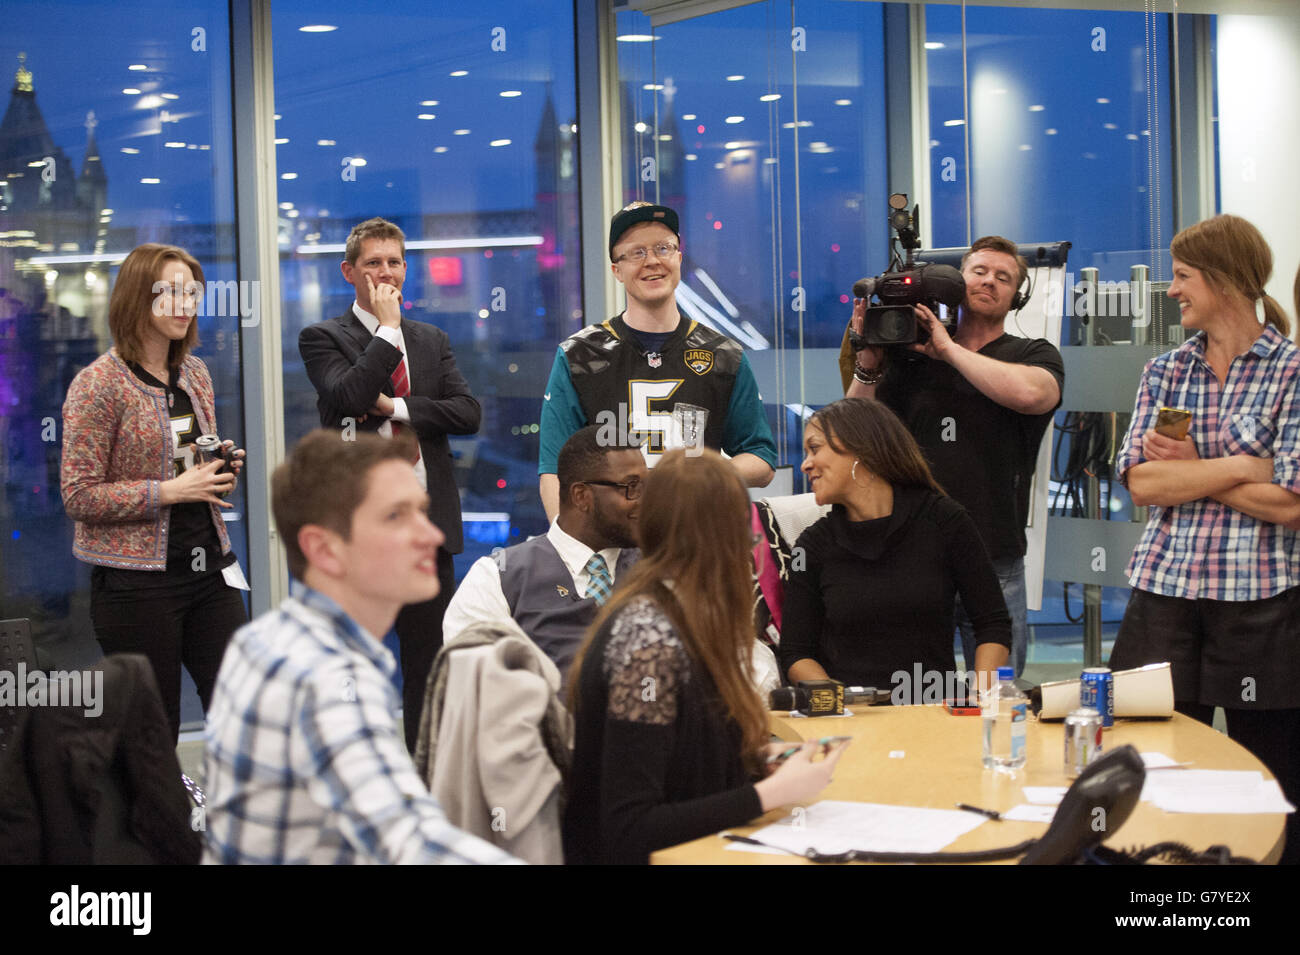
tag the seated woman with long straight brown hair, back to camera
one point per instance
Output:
(670, 740)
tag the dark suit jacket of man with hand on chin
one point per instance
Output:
(349, 368)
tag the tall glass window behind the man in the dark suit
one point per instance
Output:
(458, 124)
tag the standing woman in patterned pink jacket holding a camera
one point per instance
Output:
(149, 514)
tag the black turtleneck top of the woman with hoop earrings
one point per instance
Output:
(872, 598)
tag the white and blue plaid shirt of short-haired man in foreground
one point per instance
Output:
(305, 762)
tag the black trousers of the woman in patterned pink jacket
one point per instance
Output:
(189, 624)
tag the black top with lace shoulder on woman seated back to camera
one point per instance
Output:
(657, 761)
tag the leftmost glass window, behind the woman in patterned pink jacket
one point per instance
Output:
(116, 132)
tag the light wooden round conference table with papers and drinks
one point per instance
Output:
(941, 766)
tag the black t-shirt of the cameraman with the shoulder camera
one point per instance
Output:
(982, 453)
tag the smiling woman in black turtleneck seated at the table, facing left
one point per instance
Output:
(873, 588)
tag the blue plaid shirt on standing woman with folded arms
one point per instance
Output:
(1204, 549)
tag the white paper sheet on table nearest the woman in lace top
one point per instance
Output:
(838, 827)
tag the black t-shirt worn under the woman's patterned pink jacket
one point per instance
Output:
(193, 546)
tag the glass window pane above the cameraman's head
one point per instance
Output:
(1069, 132)
